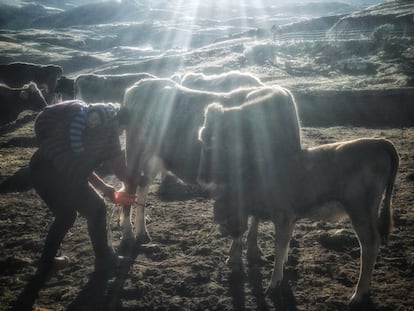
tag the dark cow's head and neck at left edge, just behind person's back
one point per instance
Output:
(15, 100)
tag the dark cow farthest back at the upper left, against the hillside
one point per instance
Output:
(45, 76)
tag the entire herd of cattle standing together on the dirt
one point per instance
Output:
(240, 139)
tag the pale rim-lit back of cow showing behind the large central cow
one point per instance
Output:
(224, 82)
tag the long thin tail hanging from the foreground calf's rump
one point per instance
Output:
(385, 223)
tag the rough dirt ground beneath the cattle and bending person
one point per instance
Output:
(184, 266)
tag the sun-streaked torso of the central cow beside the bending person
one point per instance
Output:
(165, 119)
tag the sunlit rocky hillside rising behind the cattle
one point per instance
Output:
(325, 56)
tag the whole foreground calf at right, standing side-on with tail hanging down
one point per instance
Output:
(327, 182)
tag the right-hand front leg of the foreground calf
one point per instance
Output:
(284, 225)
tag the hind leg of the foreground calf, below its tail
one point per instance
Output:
(365, 226)
